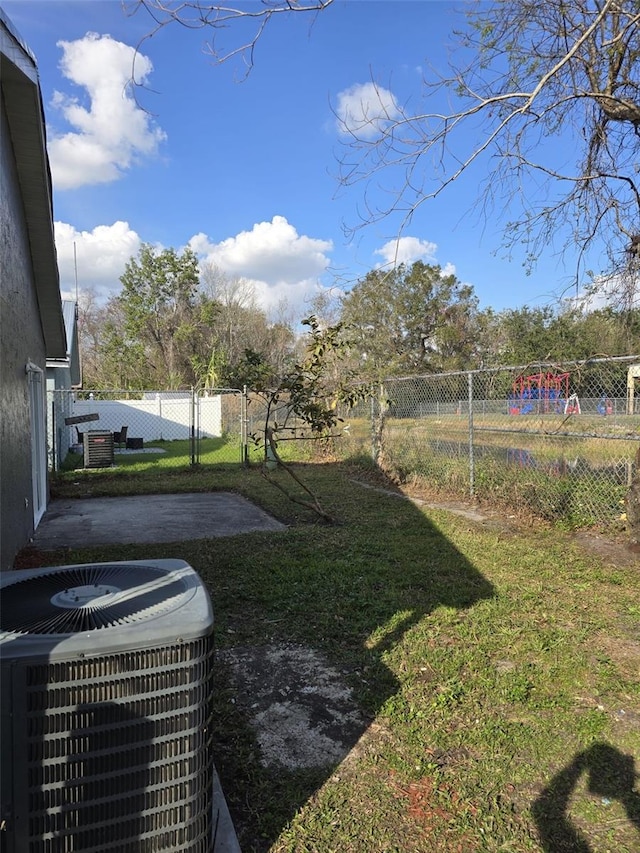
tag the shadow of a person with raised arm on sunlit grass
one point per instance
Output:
(610, 774)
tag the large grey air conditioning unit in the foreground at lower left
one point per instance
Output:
(106, 686)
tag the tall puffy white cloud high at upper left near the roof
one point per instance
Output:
(112, 132)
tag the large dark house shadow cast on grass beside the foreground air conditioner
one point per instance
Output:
(345, 596)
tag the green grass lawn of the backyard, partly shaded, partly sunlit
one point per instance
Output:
(496, 670)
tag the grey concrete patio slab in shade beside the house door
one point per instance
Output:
(82, 523)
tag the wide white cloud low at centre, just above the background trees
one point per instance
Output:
(283, 265)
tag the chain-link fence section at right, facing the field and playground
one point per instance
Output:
(556, 441)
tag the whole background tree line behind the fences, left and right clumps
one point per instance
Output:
(176, 324)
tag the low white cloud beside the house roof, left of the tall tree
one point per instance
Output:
(101, 256)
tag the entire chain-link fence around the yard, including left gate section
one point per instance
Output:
(555, 441)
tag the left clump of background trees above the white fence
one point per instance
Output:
(173, 325)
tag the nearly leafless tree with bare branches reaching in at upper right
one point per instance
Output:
(526, 75)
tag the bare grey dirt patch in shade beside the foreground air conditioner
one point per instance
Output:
(301, 709)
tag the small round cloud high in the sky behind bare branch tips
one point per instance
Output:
(365, 110)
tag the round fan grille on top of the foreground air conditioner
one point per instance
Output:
(86, 598)
